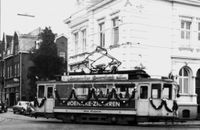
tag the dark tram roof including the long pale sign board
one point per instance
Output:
(119, 76)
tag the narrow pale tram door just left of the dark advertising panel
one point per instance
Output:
(50, 102)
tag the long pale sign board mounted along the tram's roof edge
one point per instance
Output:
(95, 77)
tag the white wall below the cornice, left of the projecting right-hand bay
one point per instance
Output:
(138, 25)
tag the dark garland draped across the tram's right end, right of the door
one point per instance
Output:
(164, 103)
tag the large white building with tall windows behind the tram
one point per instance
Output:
(161, 35)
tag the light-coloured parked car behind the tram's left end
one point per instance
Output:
(22, 107)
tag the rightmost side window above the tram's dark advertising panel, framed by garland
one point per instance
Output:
(124, 90)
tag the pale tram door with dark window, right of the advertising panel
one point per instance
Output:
(143, 101)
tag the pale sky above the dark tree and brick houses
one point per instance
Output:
(48, 13)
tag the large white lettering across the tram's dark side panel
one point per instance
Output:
(94, 104)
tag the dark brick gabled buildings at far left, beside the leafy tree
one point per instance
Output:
(15, 62)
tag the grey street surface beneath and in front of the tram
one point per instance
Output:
(10, 121)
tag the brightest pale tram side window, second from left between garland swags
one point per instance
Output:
(82, 90)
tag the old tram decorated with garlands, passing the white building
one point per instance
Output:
(123, 97)
